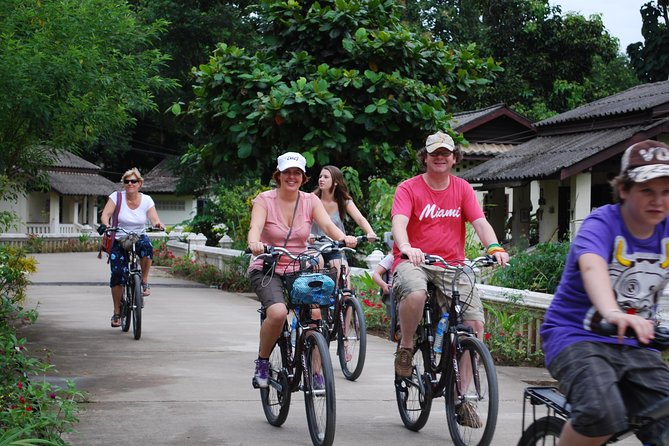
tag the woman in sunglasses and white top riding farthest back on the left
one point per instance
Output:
(136, 209)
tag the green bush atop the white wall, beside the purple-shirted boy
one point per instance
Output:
(537, 270)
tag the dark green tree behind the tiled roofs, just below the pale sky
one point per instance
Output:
(546, 57)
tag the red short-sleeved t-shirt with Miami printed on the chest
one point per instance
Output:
(436, 218)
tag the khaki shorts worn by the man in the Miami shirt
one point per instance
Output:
(409, 278)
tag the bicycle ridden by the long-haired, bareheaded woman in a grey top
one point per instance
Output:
(344, 320)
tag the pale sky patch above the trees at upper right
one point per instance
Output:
(621, 17)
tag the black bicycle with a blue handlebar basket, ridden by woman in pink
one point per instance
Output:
(292, 368)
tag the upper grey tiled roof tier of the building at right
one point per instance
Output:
(639, 98)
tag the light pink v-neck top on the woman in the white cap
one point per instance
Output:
(275, 231)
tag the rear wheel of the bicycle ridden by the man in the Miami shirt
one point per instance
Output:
(414, 394)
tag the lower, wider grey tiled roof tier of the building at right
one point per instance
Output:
(546, 156)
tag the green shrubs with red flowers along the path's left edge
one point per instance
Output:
(32, 411)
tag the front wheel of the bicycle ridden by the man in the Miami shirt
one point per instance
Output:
(472, 412)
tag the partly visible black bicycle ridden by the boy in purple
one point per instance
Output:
(547, 429)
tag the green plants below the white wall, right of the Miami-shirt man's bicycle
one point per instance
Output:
(507, 335)
